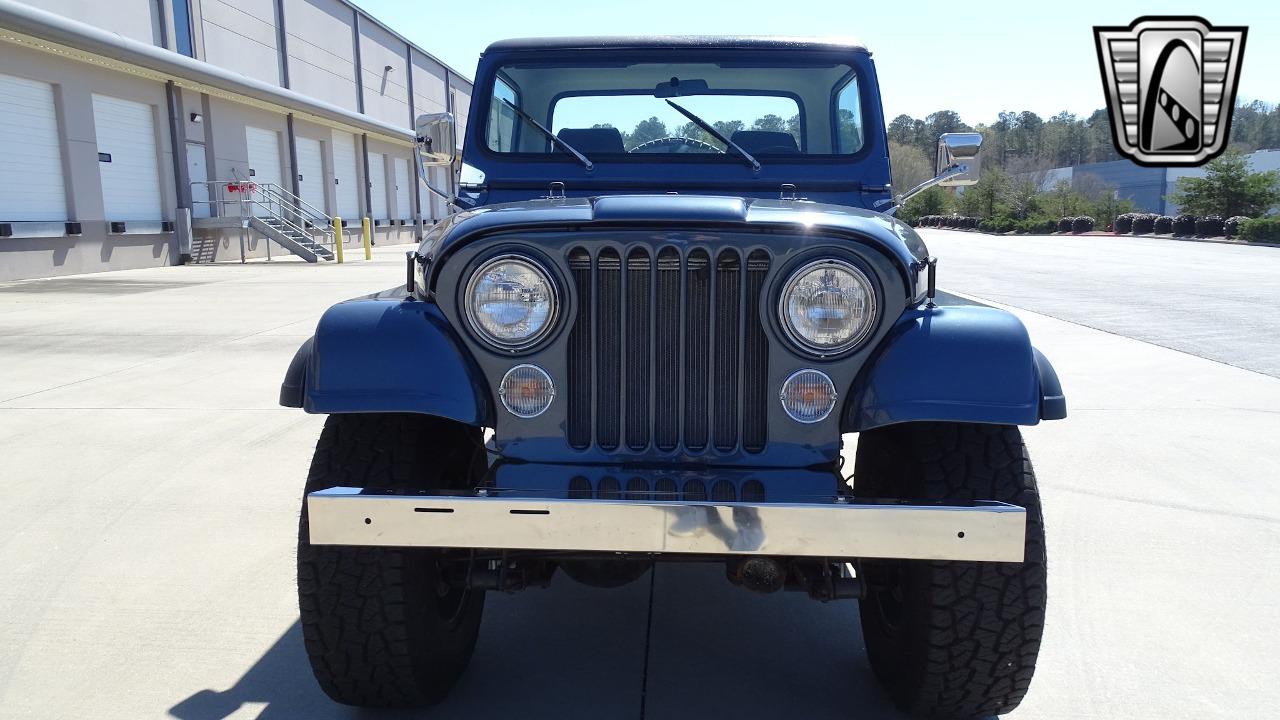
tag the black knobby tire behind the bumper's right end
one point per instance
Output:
(953, 640)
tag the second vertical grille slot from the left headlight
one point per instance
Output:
(609, 332)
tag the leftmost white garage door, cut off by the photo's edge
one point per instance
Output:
(31, 156)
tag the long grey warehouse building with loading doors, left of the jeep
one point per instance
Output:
(154, 133)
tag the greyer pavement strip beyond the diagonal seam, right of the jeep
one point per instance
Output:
(1213, 300)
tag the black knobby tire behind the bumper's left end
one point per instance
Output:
(382, 628)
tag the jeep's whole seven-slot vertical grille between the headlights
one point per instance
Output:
(671, 350)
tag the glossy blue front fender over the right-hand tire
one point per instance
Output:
(967, 364)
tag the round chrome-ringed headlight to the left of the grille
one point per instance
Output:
(511, 303)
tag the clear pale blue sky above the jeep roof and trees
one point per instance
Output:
(975, 58)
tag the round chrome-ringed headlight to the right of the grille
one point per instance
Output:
(828, 307)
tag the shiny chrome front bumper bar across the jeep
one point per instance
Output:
(984, 531)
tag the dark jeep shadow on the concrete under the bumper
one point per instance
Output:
(680, 642)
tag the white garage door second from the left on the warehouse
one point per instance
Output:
(127, 160)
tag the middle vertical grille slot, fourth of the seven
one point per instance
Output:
(666, 431)
